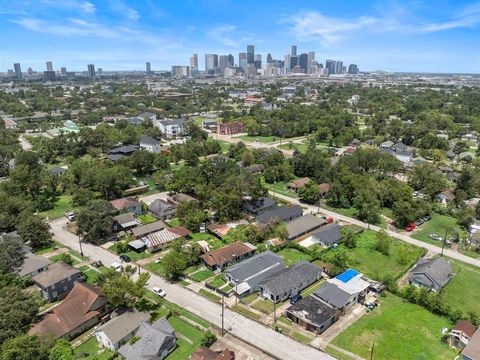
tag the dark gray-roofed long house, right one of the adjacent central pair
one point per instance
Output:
(289, 282)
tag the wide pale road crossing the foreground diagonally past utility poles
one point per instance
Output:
(250, 331)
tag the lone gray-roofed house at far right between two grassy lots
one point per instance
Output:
(432, 274)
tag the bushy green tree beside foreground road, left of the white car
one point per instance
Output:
(120, 290)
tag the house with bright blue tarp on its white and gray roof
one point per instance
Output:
(344, 290)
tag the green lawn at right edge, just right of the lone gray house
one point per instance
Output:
(462, 291)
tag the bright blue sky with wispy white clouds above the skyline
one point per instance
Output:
(408, 35)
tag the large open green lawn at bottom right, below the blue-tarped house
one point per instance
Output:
(400, 331)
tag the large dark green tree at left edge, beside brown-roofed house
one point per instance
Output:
(18, 311)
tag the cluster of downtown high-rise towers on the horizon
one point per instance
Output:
(251, 64)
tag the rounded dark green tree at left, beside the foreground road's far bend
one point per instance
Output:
(34, 231)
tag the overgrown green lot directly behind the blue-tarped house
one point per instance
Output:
(366, 259)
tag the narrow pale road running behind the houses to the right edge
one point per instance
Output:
(431, 248)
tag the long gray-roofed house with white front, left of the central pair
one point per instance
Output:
(246, 275)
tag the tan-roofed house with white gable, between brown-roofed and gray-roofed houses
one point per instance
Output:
(120, 329)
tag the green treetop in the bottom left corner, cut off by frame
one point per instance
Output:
(24, 347)
